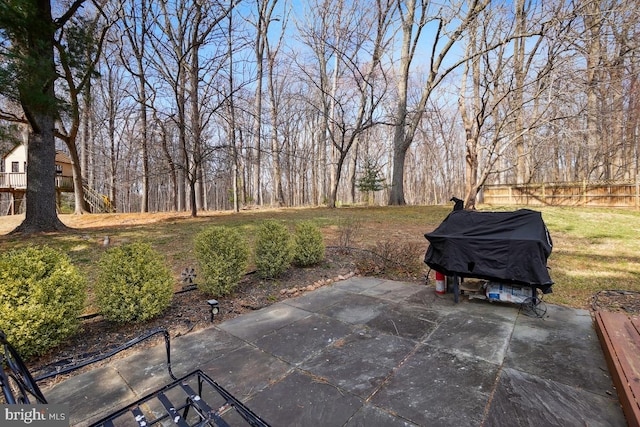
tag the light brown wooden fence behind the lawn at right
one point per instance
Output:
(586, 193)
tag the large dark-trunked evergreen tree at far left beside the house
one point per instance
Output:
(27, 77)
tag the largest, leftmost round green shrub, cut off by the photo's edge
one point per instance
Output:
(41, 296)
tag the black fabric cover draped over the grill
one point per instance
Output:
(506, 247)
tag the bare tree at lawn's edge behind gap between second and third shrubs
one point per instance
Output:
(185, 30)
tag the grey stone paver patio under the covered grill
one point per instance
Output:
(374, 352)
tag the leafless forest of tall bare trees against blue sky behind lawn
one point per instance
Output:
(202, 104)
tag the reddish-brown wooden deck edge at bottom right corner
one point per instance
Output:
(619, 336)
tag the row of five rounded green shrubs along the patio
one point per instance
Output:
(42, 293)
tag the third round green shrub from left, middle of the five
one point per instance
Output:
(223, 256)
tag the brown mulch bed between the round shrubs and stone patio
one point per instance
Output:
(189, 311)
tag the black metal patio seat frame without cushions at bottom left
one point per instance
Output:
(192, 400)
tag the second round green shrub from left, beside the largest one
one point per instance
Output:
(133, 284)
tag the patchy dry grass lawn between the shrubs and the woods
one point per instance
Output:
(594, 249)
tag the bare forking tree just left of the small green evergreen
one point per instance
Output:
(358, 81)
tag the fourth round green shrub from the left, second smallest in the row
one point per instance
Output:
(274, 249)
